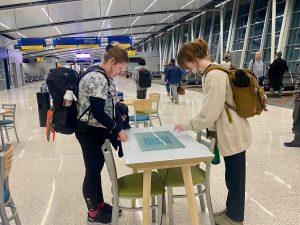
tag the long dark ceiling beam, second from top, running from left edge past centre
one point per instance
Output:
(100, 18)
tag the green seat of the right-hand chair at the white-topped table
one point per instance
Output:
(175, 179)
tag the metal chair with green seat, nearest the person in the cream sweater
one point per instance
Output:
(173, 178)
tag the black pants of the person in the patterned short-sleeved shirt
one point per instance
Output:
(91, 142)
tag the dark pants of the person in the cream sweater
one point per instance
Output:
(235, 176)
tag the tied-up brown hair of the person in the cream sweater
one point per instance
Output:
(189, 52)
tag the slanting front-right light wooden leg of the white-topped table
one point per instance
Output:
(188, 182)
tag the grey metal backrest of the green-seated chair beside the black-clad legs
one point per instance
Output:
(111, 166)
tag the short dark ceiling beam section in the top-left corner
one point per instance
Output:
(36, 3)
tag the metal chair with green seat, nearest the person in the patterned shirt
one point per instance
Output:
(131, 187)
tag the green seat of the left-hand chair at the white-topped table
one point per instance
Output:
(131, 186)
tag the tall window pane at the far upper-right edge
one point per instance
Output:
(293, 46)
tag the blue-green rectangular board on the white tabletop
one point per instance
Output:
(161, 140)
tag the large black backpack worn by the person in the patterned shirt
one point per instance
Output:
(59, 80)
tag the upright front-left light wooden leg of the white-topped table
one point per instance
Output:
(146, 196)
